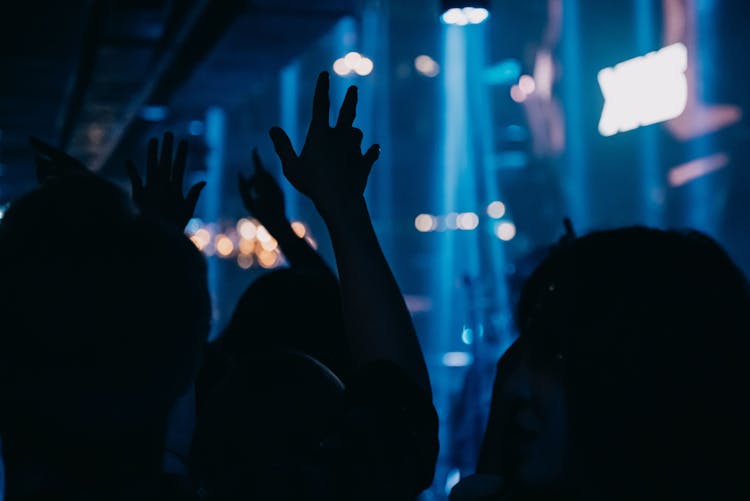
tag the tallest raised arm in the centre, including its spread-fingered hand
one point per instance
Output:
(332, 171)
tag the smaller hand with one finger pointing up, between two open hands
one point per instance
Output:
(262, 195)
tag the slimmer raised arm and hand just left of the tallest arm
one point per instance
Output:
(264, 199)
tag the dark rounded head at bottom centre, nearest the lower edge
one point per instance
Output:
(261, 431)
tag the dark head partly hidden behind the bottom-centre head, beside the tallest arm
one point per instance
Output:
(290, 309)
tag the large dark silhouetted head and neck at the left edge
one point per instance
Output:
(104, 317)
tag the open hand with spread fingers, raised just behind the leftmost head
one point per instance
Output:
(162, 196)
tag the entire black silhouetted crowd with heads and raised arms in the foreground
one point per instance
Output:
(627, 381)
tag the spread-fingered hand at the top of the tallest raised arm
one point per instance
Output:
(331, 167)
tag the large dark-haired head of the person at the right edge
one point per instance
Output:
(633, 370)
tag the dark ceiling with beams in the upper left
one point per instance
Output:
(80, 73)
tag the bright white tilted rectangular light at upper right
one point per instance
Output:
(644, 90)
